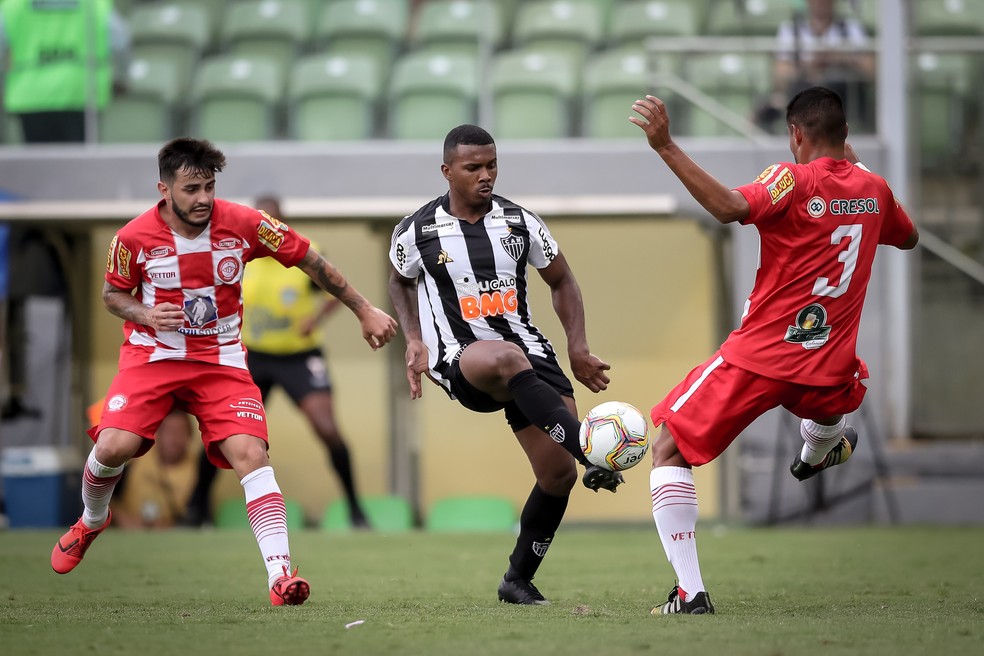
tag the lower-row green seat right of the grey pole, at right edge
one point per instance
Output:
(940, 96)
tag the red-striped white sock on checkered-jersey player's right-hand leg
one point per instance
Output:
(268, 519)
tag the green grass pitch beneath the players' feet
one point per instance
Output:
(791, 591)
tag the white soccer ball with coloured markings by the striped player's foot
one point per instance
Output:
(614, 435)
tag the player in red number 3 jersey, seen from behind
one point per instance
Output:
(820, 221)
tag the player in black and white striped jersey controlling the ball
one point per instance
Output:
(459, 286)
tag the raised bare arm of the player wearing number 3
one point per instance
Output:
(724, 204)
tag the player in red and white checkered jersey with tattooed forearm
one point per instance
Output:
(174, 275)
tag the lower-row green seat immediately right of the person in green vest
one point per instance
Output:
(145, 112)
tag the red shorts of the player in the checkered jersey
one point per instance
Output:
(225, 400)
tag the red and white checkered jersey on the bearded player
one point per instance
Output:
(203, 275)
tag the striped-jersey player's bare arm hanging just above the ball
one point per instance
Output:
(565, 293)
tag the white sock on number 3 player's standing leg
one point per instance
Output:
(675, 513)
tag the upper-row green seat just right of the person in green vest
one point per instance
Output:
(172, 31)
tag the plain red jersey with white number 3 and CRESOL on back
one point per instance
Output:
(819, 225)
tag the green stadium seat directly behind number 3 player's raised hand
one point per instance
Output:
(612, 82)
